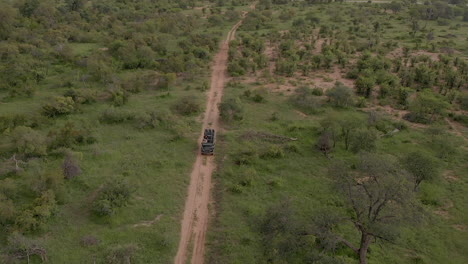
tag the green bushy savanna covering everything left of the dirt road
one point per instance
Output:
(98, 108)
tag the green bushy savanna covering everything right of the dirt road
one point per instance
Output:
(351, 143)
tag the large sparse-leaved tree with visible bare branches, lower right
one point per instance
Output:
(378, 198)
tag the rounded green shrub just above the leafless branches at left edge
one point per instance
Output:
(29, 142)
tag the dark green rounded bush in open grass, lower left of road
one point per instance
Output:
(113, 195)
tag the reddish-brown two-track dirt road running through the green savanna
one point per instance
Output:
(196, 213)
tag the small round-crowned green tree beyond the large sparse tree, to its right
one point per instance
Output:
(421, 166)
